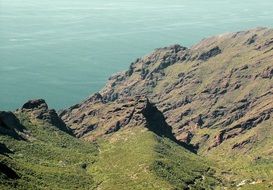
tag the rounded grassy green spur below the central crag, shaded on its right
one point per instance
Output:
(138, 159)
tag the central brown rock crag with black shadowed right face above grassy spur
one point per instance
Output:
(110, 118)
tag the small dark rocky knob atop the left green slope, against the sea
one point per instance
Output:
(38, 109)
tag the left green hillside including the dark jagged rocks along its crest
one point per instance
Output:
(38, 155)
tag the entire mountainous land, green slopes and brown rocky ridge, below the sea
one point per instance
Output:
(179, 118)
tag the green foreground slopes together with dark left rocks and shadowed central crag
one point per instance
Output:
(47, 156)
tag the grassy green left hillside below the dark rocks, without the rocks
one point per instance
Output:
(50, 159)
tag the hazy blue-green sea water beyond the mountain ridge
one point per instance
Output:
(64, 50)
